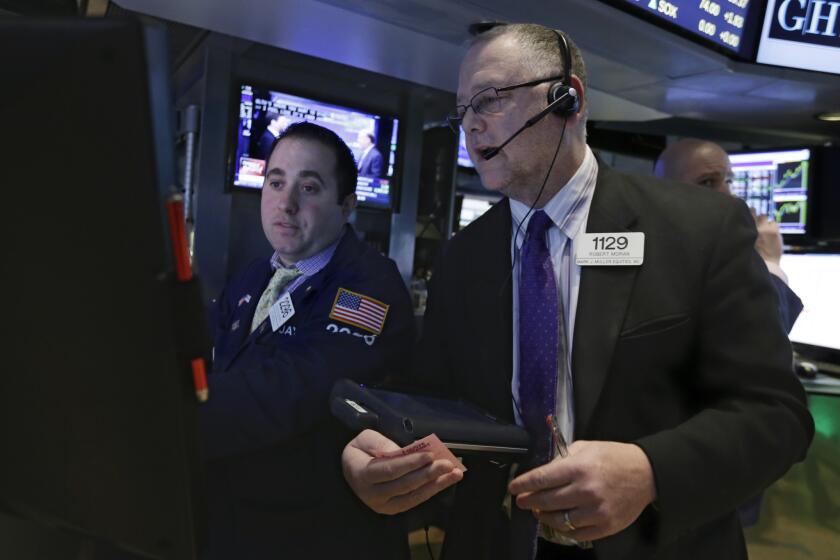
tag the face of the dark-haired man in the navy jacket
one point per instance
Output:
(300, 212)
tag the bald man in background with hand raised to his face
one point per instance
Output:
(706, 164)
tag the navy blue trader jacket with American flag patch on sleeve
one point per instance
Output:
(274, 482)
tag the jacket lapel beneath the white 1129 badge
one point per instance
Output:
(602, 301)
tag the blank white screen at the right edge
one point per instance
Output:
(815, 278)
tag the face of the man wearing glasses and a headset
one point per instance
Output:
(524, 162)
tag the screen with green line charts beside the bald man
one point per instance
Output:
(775, 184)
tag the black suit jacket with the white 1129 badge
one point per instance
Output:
(683, 355)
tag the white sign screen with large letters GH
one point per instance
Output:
(801, 34)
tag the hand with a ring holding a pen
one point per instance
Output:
(603, 486)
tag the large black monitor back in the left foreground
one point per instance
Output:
(98, 426)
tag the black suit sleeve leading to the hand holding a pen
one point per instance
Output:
(753, 423)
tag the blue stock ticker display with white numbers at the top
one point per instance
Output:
(730, 24)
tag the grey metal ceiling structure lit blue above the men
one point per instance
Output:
(638, 72)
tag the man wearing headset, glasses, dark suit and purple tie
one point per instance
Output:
(678, 409)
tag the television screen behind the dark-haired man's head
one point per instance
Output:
(264, 113)
